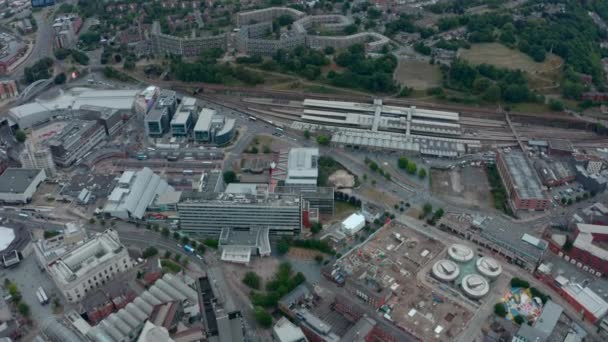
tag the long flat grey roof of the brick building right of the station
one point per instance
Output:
(525, 180)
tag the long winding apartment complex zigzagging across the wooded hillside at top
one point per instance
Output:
(250, 36)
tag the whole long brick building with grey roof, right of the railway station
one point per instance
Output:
(520, 180)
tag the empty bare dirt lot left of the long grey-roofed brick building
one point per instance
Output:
(465, 187)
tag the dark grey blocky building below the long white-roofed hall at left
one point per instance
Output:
(75, 141)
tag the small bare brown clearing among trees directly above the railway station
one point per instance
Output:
(419, 75)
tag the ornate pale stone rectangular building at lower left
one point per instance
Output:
(89, 265)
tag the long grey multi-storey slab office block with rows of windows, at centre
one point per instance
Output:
(209, 213)
